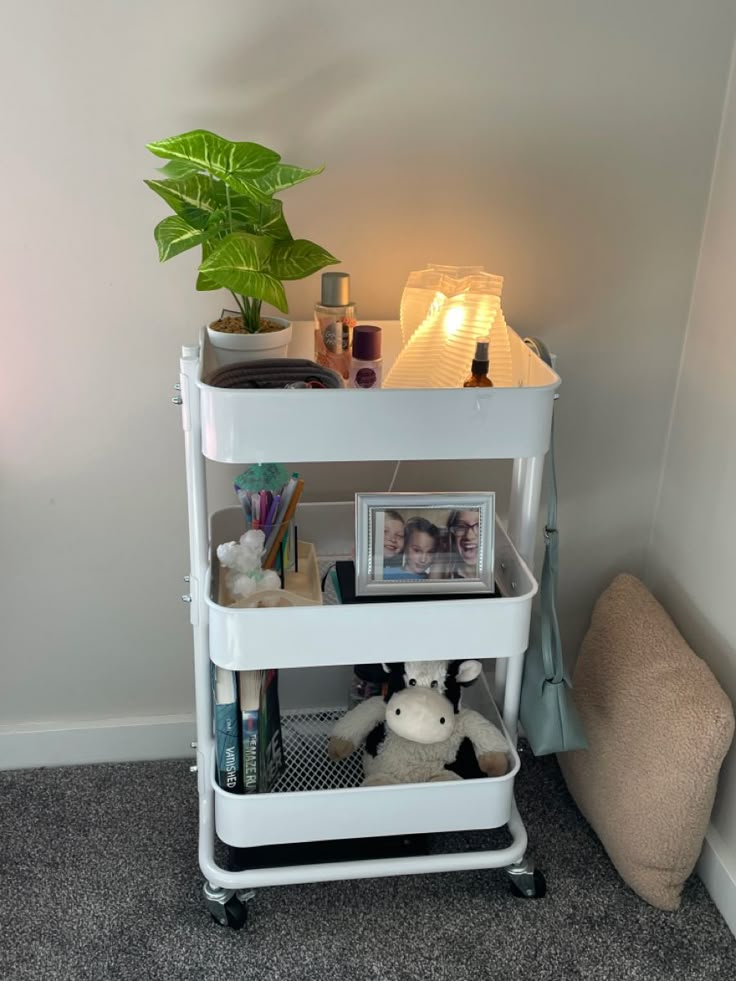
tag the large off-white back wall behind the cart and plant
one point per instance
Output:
(568, 146)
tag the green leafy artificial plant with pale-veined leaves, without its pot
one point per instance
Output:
(222, 195)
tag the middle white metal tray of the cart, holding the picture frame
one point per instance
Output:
(496, 626)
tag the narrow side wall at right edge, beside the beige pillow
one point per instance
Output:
(690, 564)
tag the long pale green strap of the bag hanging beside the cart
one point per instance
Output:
(551, 642)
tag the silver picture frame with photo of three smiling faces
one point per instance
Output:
(446, 544)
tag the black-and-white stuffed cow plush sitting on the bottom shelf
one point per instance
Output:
(417, 731)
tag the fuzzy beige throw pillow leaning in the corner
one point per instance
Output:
(658, 726)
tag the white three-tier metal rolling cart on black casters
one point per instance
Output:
(317, 800)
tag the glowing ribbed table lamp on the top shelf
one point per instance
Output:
(444, 311)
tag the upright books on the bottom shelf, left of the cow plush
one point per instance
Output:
(249, 752)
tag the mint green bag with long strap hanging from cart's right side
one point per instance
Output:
(547, 712)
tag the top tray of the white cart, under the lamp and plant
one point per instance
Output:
(248, 426)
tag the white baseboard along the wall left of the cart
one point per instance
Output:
(98, 741)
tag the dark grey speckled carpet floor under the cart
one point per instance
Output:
(99, 880)
